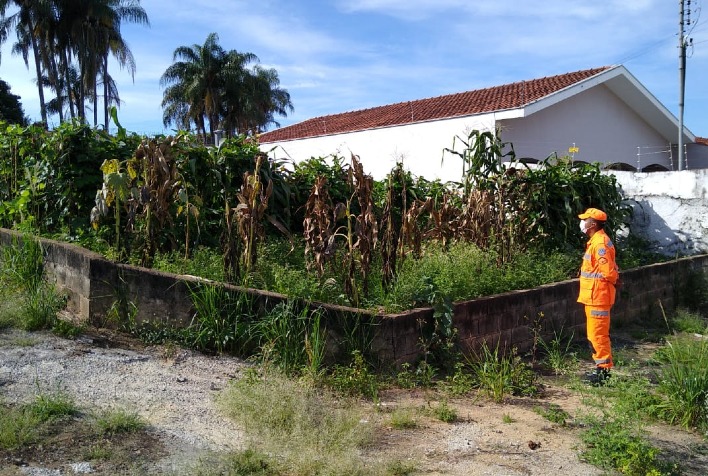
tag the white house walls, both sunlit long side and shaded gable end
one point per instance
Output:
(596, 121)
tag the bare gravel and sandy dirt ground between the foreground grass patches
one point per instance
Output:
(174, 391)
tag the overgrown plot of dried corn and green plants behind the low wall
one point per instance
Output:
(167, 200)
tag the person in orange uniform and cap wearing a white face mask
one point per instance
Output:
(598, 277)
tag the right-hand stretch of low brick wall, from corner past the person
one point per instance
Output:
(504, 318)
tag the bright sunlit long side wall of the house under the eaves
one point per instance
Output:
(419, 146)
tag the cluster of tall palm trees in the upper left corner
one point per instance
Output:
(60, 32)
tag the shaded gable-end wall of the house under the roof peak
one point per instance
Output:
(598, 122)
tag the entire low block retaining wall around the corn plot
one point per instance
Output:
(93, 284)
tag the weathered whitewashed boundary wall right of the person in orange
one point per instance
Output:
(670, 208)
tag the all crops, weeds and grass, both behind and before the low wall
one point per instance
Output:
(331, 233)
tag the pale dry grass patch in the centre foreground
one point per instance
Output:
(309, 430)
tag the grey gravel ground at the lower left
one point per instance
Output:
(173, 393)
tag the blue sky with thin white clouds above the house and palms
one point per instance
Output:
(342, 55)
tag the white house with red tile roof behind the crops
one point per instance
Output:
(597, 115)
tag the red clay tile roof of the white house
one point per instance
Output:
(508, 96)
